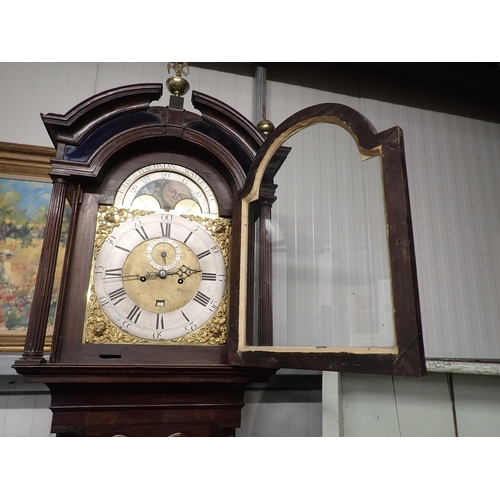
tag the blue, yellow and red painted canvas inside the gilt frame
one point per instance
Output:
(23, 213)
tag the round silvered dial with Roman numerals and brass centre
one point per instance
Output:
(155, 286)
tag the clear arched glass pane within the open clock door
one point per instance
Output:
(331, 281)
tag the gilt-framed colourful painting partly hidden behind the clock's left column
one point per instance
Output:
(25, 190)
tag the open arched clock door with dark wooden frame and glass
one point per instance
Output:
(324, 253)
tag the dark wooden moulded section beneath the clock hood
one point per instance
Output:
(153, 401)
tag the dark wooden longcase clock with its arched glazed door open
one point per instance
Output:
(165, 314)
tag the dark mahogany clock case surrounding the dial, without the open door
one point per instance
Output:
(129, 389)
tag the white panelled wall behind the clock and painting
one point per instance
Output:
(454, 177)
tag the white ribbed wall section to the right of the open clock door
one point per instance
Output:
(453, 179)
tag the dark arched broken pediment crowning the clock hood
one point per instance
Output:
(92, 136)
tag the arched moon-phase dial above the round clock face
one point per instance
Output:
(167, 186)
